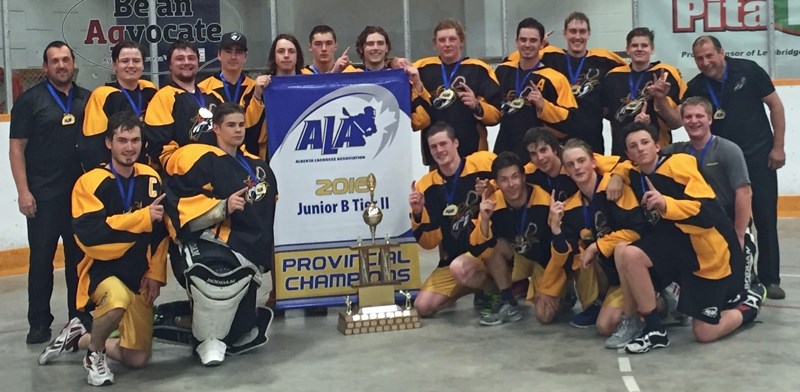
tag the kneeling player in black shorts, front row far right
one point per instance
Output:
(691, 242)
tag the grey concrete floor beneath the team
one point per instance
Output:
(450, 352)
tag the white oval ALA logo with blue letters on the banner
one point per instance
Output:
(353, 122)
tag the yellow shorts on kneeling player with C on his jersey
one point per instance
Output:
(136, 326)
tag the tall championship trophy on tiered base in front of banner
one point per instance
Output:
(376, 310)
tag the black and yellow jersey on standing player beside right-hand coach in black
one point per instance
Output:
(624, 95)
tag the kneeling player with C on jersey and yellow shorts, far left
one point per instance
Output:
(117, 221)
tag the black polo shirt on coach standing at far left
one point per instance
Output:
(51, 156)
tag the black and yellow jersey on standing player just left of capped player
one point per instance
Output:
(172, 118)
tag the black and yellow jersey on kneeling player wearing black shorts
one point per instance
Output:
(693, 209)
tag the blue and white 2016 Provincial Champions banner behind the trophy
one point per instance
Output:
(326, 134)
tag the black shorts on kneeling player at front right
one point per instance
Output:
(672, 256)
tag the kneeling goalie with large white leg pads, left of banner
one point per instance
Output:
(221, 201)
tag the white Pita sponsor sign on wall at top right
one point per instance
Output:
(741, 26)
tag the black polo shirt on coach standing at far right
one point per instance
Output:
(746, 122)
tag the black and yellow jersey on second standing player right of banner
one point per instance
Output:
(558, 113)
